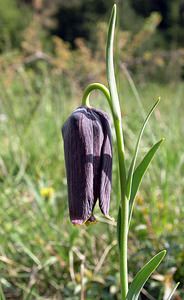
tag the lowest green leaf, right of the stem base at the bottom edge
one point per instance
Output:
(143, 275)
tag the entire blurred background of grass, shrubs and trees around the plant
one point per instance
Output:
(49, 51)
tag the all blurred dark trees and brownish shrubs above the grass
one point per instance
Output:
(70, 37)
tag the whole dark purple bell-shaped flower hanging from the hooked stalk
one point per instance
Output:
(88, 159)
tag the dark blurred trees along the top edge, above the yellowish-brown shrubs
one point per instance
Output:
(77, 18)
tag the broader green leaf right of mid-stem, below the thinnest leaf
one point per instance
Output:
(139, 173)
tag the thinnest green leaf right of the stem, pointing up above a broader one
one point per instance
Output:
(132, 166)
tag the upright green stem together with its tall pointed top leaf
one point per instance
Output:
(123, 228)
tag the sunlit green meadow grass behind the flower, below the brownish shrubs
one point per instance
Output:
(42, 256)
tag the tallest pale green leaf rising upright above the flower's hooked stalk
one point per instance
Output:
(110, 65)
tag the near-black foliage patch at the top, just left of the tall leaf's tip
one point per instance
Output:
(79, 18)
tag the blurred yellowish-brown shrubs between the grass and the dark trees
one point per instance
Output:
(83, 64)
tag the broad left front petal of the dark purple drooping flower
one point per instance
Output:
(81, 134)
